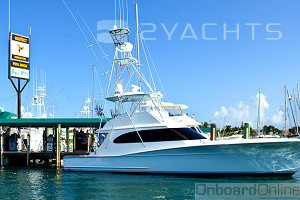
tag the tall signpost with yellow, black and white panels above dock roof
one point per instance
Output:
(19, 63)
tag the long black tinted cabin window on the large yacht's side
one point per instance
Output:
(157, 135)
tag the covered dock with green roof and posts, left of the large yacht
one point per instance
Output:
(59, 137)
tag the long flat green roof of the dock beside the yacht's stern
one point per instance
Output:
(65, 122)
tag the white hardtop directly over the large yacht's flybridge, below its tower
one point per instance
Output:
(134, 97)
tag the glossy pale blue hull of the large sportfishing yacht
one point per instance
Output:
(274, 158)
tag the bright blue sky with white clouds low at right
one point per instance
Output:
(212, 55)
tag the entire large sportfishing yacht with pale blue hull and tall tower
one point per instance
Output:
(143, 138)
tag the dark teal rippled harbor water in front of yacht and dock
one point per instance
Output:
(49, 183)
